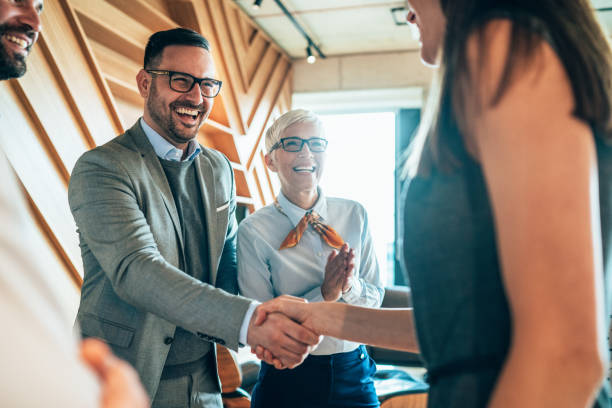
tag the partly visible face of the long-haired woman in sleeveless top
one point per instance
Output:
(427, 15)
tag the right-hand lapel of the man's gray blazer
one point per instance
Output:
(207, 189)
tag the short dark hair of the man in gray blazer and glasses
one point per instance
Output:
(176, 36)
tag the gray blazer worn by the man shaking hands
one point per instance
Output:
(133, 294)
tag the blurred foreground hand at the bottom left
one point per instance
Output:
(120, 385)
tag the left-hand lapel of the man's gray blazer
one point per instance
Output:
(156, 171)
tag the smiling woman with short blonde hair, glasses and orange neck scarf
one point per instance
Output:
(314, 247)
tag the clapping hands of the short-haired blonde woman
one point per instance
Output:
(338, 274)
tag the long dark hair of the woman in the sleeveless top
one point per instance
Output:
(571, 29)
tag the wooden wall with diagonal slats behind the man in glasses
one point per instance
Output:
(80, 91)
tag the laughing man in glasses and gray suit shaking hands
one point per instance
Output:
(155, 215)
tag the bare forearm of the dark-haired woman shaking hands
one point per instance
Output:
(389, 328)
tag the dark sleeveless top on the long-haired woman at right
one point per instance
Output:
(451, 259)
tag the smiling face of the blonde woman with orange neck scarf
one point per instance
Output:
(299, 172)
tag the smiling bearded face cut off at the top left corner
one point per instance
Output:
(19, 28)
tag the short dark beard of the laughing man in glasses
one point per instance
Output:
(166, 121)
